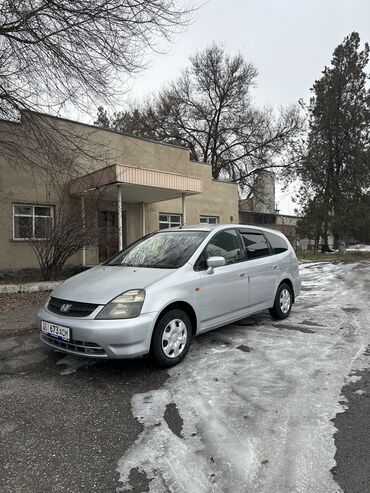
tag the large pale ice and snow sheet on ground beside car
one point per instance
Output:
(257, 421)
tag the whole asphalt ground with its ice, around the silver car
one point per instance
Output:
(246, 405)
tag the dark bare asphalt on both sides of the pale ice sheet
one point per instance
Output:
(65, 422)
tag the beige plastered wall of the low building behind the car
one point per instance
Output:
(20, 184)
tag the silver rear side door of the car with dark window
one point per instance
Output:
(261, 268)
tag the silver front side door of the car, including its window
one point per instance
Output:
(225, 292)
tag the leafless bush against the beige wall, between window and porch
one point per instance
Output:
(56, 237)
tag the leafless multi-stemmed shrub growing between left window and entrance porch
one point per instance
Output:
(64, 229)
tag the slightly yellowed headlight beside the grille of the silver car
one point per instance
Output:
(126, 305)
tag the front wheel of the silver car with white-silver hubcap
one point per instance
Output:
(178, 323)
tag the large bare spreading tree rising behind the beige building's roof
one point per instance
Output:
(209, 110)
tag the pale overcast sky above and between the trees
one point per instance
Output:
(289, 41)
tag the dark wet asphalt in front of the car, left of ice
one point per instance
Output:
(63, 430)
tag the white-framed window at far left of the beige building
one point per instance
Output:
(32, 221)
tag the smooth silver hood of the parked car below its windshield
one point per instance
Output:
(101, 284)
